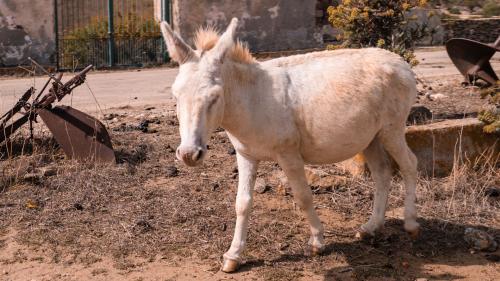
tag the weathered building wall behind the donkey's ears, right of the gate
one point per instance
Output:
(267, 25)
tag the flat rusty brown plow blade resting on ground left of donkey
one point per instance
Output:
(80, 135)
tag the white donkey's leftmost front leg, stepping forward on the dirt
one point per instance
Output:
(247, 170)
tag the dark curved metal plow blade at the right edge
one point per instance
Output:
(472, 58)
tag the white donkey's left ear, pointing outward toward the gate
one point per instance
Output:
(178, 50)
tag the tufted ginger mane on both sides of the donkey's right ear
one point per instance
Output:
(206, 38)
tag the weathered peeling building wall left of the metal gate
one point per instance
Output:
(26, 30)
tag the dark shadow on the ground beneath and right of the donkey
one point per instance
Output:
(393, 255)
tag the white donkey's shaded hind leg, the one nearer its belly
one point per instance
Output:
(380, 168)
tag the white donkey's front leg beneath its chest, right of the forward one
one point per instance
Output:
(293, 166)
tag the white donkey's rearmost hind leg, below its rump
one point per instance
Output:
(394, 142)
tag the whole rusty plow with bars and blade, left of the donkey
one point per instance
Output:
(80, 135)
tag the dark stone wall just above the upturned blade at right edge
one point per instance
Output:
(482, 30)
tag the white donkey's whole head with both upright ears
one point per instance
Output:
(198, 89)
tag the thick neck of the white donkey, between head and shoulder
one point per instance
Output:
(255, 102)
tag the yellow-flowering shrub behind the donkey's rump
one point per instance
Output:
(379, 23)
